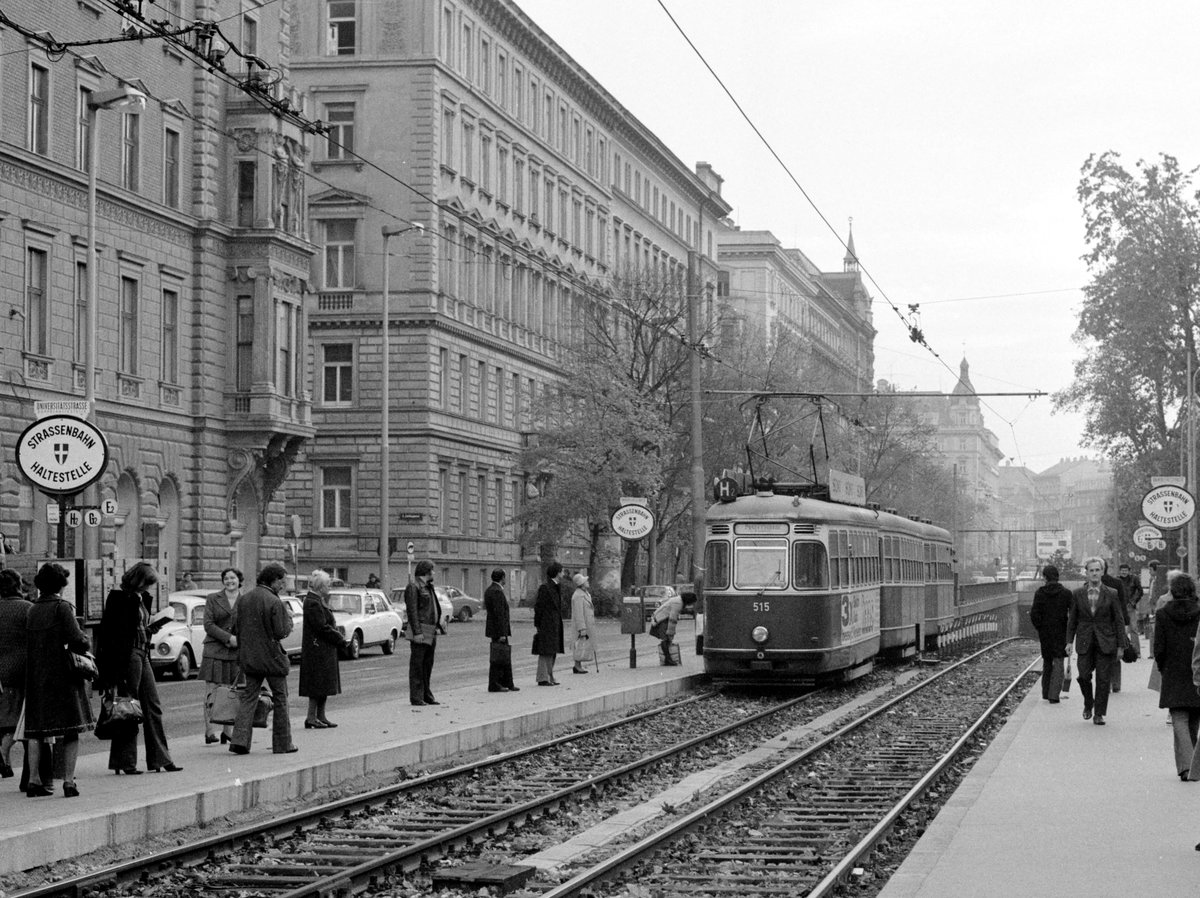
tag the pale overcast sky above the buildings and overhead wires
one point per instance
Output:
(952, 131)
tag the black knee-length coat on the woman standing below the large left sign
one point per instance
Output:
(56, 701)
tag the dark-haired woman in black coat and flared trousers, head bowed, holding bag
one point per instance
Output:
(125, 640)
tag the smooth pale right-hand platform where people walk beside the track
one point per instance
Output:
(1058, 807)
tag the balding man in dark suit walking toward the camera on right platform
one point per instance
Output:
(1097, 625)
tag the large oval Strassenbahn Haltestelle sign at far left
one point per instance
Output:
(62, 454)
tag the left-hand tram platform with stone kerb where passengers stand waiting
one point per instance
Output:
(373, 739)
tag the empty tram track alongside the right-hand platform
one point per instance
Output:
(812, 840)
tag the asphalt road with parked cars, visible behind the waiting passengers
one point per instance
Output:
(461, 660)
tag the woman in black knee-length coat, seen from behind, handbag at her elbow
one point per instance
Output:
(57, 707)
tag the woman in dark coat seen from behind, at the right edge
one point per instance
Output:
(1175, 632)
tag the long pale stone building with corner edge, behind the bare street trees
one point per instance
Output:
(533, 189)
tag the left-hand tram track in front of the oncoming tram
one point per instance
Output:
(359, 845)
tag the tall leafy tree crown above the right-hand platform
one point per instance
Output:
(1136, 328)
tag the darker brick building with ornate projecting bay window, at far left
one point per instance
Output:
(201, 272)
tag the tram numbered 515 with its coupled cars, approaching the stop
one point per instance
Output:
(799, 590)
